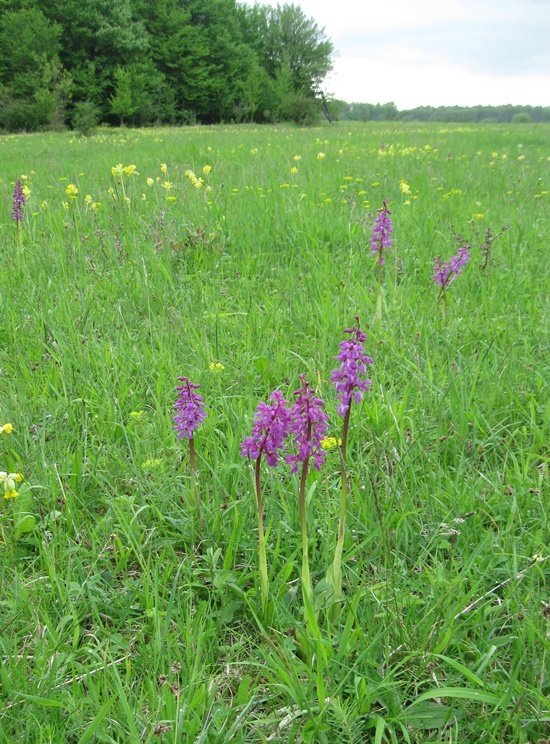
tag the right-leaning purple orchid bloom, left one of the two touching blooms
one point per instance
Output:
(270, 429)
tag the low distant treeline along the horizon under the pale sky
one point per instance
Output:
(464, 114)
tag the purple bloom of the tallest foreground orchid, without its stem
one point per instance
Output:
(349, 385)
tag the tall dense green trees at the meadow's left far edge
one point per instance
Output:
(138, 62)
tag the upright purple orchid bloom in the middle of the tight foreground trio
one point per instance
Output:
(308, 424)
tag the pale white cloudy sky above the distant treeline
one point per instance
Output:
(436, 52)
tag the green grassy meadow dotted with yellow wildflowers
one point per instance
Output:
(127, 614)
